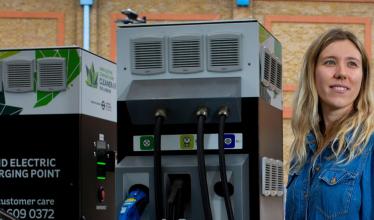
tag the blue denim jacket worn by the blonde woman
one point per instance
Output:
(329, 190)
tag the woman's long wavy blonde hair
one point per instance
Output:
(306, 114)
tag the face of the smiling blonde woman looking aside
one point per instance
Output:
(338, 76)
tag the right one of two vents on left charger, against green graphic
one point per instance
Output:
(51, 74)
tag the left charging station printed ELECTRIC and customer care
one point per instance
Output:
(58, 117)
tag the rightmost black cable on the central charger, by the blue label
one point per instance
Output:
(223, 114)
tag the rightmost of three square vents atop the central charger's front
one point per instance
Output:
(224, 52)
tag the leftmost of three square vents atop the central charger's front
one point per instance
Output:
(147, 56)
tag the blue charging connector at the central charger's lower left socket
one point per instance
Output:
(135, 203)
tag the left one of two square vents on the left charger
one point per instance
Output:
(18, 75)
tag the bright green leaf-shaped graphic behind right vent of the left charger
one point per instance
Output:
(73, 62)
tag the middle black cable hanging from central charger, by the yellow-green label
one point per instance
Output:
(201, 117)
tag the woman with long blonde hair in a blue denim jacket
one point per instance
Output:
(332, 163)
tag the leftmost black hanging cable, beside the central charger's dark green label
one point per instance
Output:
(160, 115)
